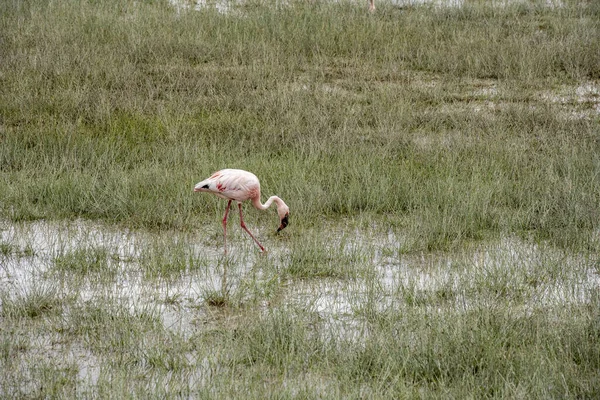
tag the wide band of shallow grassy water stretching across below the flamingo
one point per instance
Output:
(171, 276)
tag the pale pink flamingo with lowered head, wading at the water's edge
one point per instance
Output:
(239, 185)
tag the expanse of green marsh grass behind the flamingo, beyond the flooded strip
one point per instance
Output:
(337, 111)
